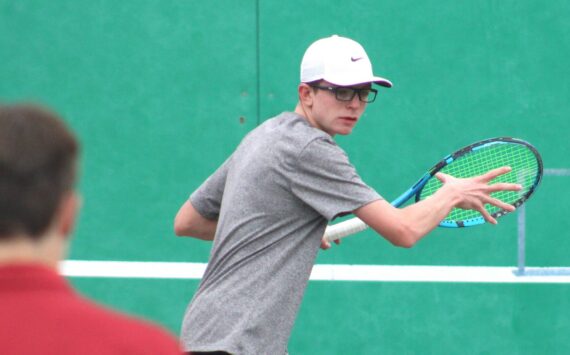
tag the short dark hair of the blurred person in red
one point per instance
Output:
(38, 156)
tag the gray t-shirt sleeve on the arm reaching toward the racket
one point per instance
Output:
(325, 180)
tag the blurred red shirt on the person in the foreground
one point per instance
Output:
(41, 314)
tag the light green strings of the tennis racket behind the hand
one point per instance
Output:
(521, 159)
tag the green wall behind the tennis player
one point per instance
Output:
(161, 92)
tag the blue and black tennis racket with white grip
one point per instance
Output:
(473, 160)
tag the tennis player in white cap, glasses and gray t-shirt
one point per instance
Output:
(266, 208)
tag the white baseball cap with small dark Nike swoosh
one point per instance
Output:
(340, 61)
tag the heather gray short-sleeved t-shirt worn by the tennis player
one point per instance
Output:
(272, 198)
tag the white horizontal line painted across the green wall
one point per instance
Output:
(326, 272)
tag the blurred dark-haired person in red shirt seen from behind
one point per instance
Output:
(39, 311)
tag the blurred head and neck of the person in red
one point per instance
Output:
(38, 203)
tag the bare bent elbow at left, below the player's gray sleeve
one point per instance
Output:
(190, 223)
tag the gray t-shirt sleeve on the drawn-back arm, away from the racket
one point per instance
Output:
(207, 199)
